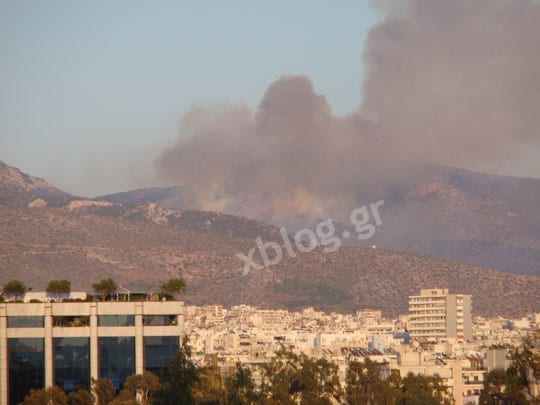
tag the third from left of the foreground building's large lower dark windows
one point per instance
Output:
(116, 358)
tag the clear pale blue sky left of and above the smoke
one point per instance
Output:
(92, 91)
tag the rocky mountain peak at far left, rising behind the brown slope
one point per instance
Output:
(18, 189)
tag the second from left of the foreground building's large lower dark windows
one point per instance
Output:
(72, 363)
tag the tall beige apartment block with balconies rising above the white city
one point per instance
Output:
(436, 315)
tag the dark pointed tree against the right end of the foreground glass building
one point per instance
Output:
(178, 379)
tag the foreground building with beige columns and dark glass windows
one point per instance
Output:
(68, 343)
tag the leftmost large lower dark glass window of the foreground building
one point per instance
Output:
(26, 367)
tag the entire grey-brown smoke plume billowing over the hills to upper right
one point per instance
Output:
(451, 82)
